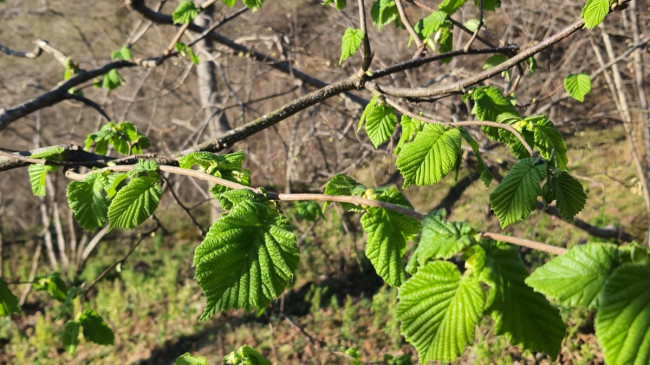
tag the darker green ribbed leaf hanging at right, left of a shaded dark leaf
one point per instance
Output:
(516, 196)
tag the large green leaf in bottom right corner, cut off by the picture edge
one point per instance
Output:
(623, 319)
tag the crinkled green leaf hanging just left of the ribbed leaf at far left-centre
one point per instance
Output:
(87, 201)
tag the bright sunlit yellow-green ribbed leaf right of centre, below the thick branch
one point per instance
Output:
(430, 156)
